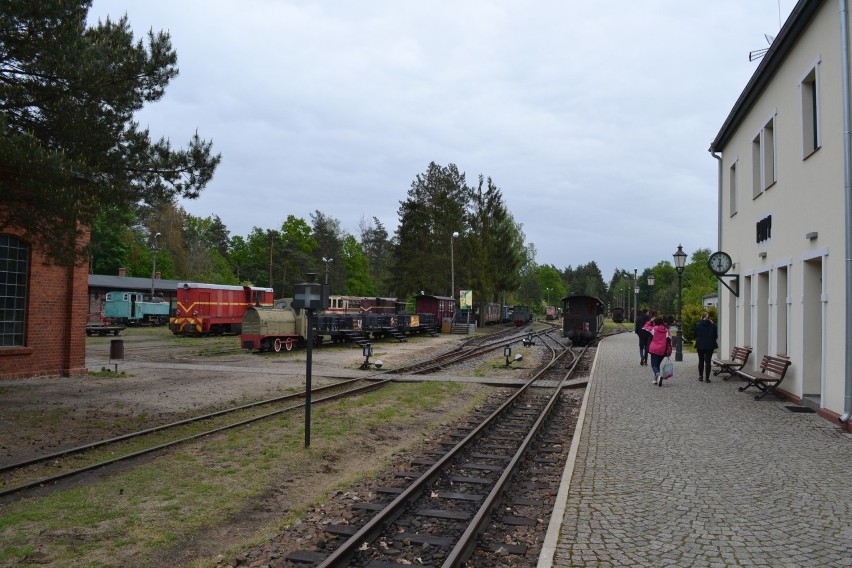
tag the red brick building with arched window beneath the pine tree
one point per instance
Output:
(42, 312)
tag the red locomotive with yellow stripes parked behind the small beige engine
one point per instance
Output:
(214, 309)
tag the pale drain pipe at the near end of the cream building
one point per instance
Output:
(847, 191)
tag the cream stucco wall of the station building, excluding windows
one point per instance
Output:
(792, 298)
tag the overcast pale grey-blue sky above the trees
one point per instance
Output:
(593, 118)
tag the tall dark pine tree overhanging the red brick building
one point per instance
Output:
(69, 145)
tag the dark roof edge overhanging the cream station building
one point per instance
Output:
(796, 24)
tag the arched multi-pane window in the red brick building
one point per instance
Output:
(14, 267)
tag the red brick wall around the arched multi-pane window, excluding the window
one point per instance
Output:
(57, 303)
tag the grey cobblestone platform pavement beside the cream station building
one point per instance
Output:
(700, 474)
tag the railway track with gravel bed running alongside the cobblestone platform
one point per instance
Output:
(478, 497)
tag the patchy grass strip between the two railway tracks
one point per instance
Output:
(138, 516)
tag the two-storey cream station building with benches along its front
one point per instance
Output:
(785, 173)
